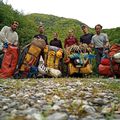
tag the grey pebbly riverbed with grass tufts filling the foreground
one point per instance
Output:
(59, 99)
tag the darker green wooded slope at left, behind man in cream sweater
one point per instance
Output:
(27, 27)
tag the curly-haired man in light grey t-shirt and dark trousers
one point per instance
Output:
(99, 42)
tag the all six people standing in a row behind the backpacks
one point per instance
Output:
(99, 41)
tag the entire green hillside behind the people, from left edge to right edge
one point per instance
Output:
(29, 25)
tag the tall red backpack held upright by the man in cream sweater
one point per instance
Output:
(9, 62)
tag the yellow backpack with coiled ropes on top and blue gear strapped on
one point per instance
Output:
(80, 59)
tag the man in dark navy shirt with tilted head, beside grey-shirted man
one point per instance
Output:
(86, 37)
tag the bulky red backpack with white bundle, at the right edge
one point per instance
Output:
(111, 66)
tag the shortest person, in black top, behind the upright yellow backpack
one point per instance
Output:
(56, 42)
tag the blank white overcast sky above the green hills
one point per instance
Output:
(90, 12)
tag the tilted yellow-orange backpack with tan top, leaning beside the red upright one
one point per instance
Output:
(27, 65)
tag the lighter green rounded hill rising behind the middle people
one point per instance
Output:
(56, 24)
